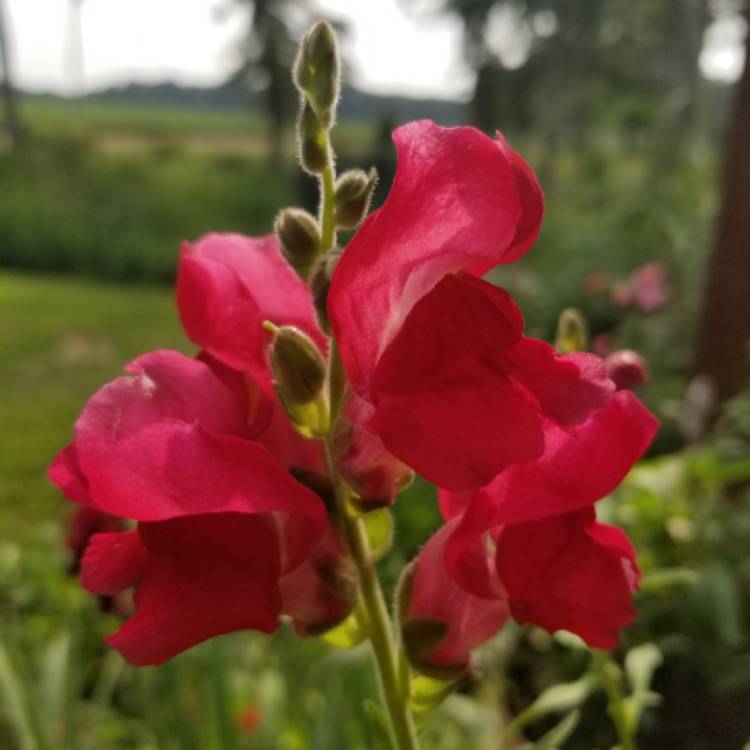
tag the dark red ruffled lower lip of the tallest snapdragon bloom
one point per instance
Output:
(459, 392)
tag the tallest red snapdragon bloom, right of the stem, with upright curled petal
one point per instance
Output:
(458, 392)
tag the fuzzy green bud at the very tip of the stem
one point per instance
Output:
(316, 71)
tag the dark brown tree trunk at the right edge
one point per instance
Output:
(723, 352)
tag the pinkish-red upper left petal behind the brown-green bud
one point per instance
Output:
(227, 285)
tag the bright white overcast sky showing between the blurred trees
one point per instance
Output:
(193, 42)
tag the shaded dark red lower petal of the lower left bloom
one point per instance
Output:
(203, 576)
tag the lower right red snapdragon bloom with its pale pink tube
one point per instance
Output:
(530, 540)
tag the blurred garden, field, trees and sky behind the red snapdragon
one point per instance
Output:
(128, 127)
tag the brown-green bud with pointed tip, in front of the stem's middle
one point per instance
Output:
(297, 365)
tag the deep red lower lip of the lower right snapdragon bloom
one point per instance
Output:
(569, 573)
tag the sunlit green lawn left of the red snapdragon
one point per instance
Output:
(60, 340)
